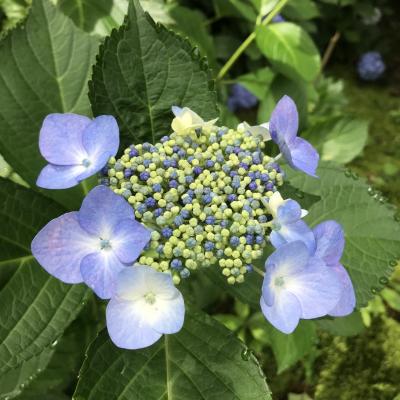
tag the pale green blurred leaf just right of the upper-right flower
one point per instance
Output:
(339, 139)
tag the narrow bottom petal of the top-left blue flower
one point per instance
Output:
(59, 176)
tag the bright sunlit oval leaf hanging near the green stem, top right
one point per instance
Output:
(290, 50)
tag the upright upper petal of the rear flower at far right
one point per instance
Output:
(329, 238)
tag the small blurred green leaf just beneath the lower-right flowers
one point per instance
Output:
(350, 325)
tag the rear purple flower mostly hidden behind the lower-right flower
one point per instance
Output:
(329, 239)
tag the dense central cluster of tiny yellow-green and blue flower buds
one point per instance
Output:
(204, 194)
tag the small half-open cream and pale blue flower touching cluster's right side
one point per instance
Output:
(287, 225)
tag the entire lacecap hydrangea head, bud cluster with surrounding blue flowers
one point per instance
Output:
(204, 197)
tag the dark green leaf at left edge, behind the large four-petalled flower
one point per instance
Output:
(35, 307)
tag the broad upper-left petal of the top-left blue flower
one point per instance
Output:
(60, 140)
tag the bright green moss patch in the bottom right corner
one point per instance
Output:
(364, 367)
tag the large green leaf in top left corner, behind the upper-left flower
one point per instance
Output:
(44, 70)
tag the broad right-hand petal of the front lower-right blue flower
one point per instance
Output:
(317, 287)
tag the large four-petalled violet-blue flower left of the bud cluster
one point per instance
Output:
(94, 244)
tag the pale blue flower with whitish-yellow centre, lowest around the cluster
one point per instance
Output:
(146, 305)
